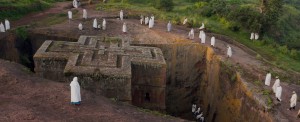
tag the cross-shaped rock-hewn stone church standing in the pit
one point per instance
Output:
(109, 66)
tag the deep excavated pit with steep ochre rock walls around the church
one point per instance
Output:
(194, 75)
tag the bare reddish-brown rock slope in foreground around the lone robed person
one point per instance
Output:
(26, 97)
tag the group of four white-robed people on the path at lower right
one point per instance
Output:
(277, 89)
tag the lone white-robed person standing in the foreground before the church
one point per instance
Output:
(75, 92)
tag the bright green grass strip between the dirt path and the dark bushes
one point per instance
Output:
(276, 54)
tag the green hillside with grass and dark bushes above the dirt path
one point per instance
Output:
(277, 22)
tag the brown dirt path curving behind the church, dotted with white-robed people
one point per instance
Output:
(158, 35)
